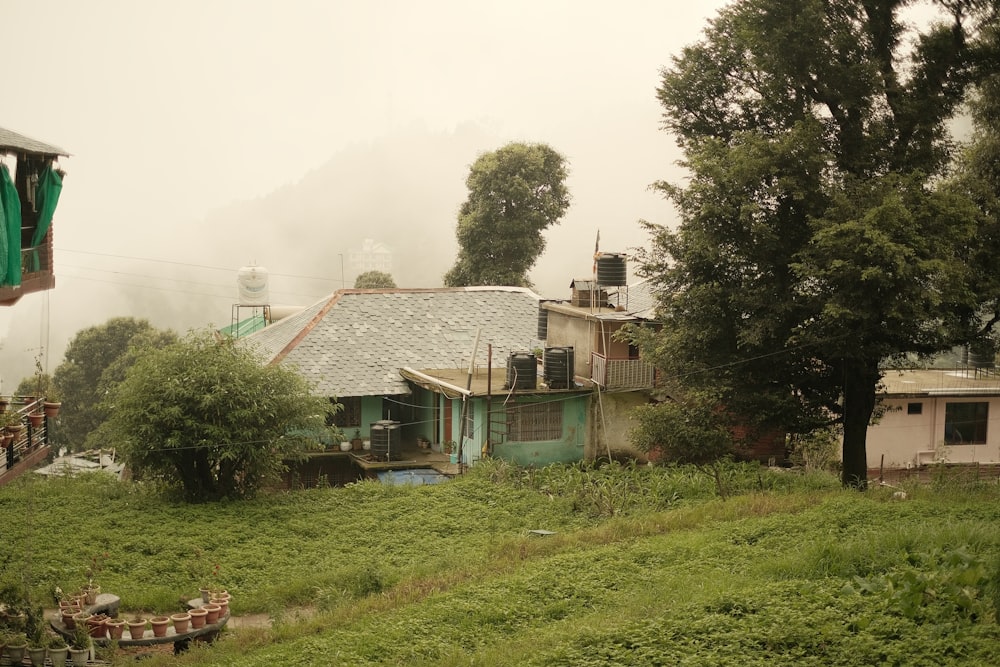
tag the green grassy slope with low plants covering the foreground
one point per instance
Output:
(645, 566)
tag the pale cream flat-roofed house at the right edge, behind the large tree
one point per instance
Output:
(936, 415)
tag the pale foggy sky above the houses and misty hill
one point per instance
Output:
(185, 118)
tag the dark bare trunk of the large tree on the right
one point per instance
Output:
(860, 381)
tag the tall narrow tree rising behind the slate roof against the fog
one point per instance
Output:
(515, 193)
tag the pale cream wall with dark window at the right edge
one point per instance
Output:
(917, 439)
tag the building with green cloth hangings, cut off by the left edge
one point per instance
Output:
(30, 184)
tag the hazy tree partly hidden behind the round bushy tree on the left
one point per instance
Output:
(78, 376)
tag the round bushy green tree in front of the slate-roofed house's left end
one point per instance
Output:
(207, 414)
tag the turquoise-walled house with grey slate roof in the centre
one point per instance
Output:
(402, 356)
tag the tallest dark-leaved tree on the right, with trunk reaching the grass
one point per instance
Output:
(819, 239)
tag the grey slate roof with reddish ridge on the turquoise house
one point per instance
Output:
(354, 342)
